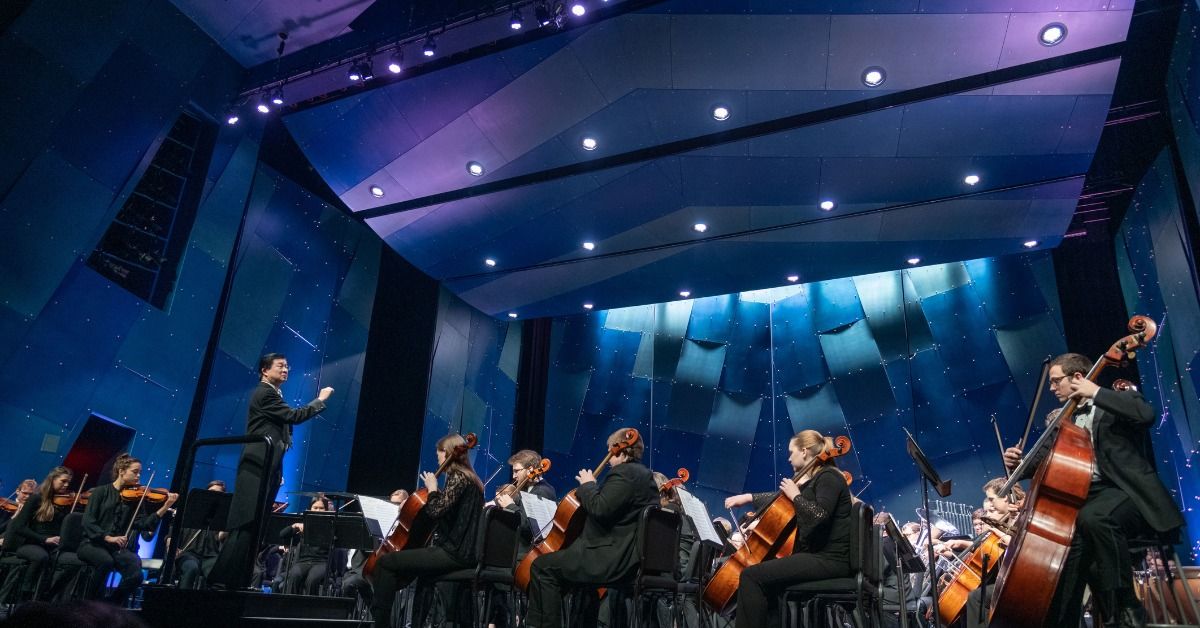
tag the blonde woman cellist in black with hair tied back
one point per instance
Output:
(823, 530)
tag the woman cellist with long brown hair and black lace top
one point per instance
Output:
(455, 512)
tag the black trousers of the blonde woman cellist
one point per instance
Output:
(761, 583)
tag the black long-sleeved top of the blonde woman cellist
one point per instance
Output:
(823, 515)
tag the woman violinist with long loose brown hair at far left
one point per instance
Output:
(34, 533)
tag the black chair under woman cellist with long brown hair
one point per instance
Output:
(497, 553)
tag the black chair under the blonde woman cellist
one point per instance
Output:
(856, 593)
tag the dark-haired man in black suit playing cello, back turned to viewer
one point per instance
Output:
(607, 551)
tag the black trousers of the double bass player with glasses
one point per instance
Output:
(1100, 555)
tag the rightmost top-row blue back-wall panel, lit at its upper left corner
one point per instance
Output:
(1007, 289)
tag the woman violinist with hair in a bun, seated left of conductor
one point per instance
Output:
(106, 525)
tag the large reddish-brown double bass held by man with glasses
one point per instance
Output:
(1029, 575)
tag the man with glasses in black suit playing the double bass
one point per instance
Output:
(1126, 499)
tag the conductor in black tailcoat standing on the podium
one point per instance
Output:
(268, 416)
